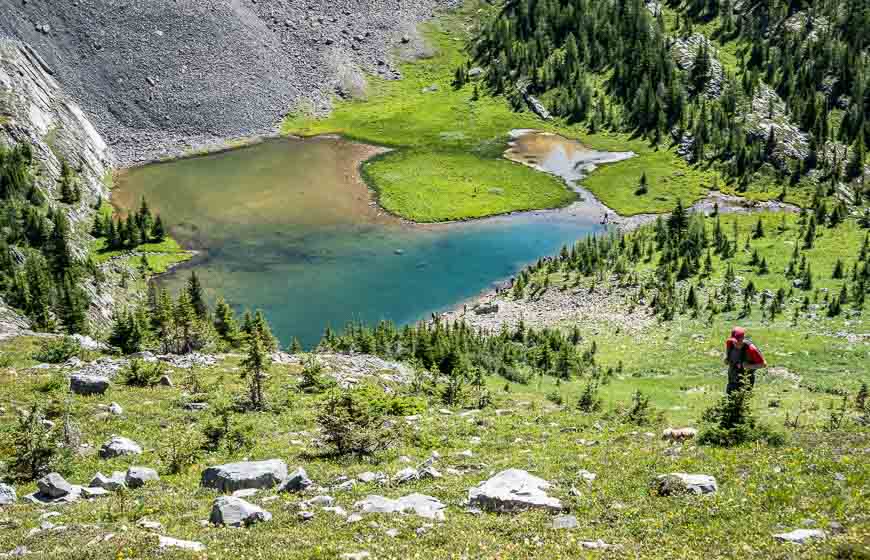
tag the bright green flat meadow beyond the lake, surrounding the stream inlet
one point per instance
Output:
(449, 147)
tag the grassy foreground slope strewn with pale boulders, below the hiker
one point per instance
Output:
(762, 490)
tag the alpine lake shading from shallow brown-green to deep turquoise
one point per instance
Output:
(288, 227)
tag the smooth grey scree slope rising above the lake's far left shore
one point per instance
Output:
(185, 53)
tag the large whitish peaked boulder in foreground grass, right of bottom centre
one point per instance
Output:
(511, 491)
